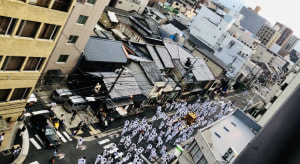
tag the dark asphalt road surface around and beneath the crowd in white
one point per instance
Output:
(94, 144)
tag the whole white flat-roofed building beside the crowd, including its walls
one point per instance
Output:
(222, 141)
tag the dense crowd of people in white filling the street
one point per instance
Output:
(172, 130)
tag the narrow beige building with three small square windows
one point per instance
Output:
(75, 35)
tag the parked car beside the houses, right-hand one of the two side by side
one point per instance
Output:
(75, 103)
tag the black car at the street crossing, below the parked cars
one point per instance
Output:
(45, 130)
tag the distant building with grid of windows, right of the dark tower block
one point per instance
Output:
(265, 34)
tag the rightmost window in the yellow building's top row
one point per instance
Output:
(49, 31)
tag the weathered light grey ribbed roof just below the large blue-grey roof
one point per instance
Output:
(125, 86)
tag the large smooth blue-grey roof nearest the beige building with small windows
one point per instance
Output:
(104, 50)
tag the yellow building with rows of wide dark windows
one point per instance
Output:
(28, 33)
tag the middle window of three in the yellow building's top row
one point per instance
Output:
(28, 29)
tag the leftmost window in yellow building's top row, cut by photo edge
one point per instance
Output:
(7, 25)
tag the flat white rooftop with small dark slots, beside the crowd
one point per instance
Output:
(234, 131)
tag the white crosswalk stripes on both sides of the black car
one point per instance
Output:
(38, 143)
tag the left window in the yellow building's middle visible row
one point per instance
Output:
(13, 63)
